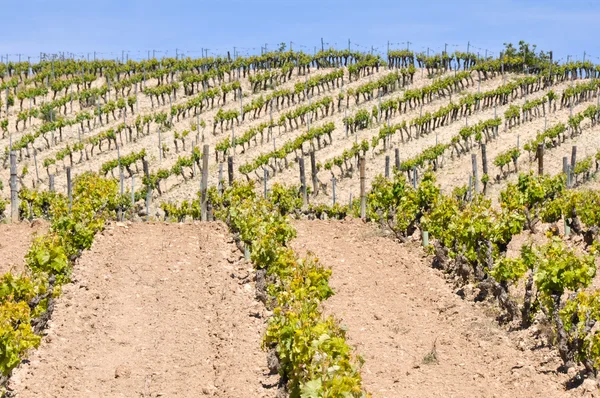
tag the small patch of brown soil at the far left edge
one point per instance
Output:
(15, 240)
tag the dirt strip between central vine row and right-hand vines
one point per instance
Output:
(397, 308)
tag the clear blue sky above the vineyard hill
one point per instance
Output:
(110, 26)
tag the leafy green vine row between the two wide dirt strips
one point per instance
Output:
(315, 358)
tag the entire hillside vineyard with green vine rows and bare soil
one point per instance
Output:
(330, 189)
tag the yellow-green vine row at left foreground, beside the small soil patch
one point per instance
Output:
(23, 298)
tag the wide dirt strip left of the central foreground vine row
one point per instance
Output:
(156, 310)
